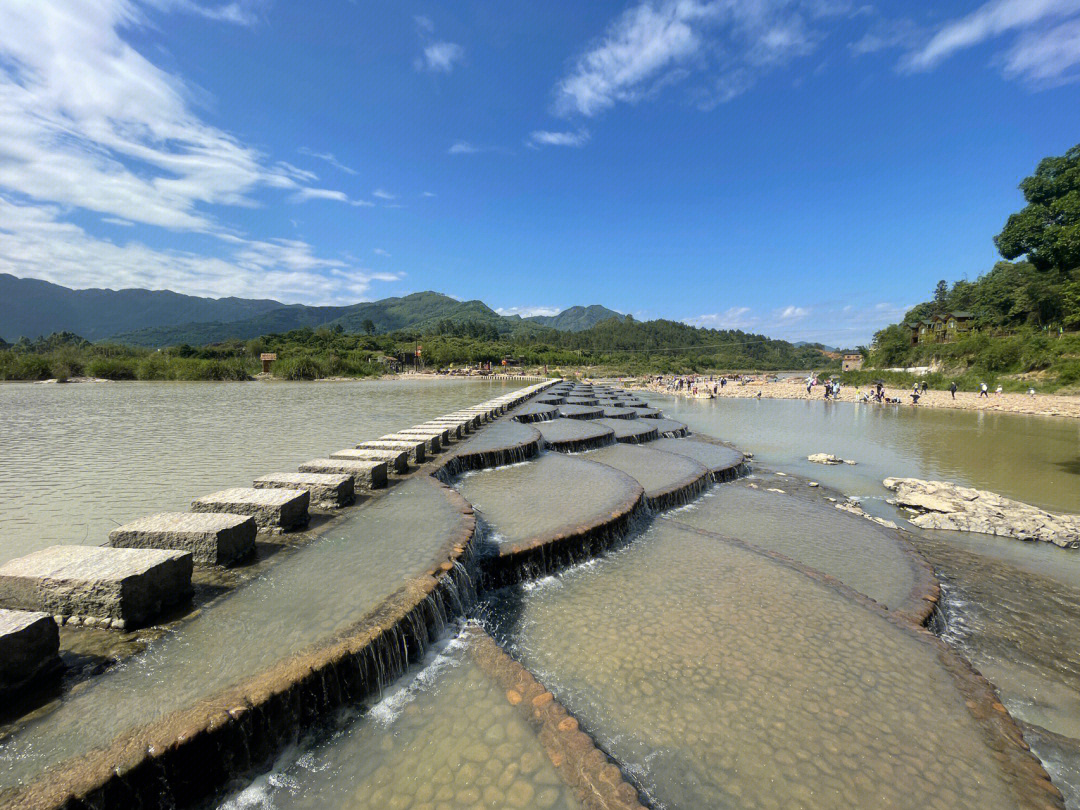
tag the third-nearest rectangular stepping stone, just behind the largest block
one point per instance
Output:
(212, 538)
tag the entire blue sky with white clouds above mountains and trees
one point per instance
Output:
(808, 169)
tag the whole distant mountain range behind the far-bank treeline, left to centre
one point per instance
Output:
(34, 308)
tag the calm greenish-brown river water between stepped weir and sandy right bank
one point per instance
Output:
(1024, 457)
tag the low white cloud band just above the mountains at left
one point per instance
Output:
(36, 242)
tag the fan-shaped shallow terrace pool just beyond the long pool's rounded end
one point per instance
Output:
(552, 494)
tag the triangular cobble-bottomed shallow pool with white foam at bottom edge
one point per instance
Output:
(443, 737)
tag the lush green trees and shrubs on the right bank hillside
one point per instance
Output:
(1024, 307)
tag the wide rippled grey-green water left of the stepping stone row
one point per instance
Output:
(80, 460)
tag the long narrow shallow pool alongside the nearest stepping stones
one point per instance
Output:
(319, 591)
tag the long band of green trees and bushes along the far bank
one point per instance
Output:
(619, 346)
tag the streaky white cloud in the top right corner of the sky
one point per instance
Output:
(998, 18)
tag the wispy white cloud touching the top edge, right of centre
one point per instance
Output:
(657, 44)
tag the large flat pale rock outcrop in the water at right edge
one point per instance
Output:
(947, 506)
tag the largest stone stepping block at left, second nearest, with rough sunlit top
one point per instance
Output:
(131, 586)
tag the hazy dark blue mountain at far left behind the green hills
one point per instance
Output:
(34, 308)
